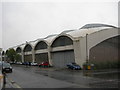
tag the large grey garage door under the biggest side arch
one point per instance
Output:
(61, 58)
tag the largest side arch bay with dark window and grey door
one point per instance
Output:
(62, 51)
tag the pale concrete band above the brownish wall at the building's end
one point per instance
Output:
(101, 36)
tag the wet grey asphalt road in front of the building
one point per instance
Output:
(35, 77)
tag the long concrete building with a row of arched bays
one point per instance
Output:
(92, 42)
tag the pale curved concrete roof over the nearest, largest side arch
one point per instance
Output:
(76, 34)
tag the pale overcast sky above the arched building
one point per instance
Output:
(27, 21)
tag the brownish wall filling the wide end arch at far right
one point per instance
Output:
(105, 51)
